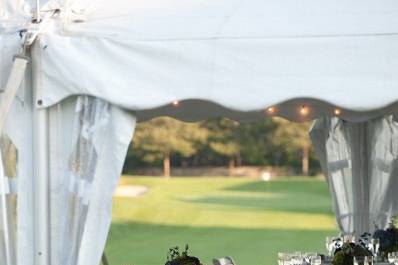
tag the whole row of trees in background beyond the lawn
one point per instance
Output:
(274, 142)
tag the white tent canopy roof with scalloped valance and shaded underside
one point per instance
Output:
(224, 58)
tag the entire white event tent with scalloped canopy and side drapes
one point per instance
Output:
(98, 66)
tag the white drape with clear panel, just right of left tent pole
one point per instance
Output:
(88, 142)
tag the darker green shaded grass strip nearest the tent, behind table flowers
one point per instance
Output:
(146, 244)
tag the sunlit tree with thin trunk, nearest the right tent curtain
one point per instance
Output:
(293, 137)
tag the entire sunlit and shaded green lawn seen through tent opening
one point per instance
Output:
(246, 219)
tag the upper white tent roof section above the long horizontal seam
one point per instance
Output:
(196, 19)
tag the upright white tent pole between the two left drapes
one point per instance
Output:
(41, 169)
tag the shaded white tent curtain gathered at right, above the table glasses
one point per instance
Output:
(360, 163)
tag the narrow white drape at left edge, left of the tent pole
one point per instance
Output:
(16, 182)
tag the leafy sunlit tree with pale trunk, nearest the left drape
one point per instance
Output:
(160, 138)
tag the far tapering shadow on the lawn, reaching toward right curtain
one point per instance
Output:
(293, 196)
